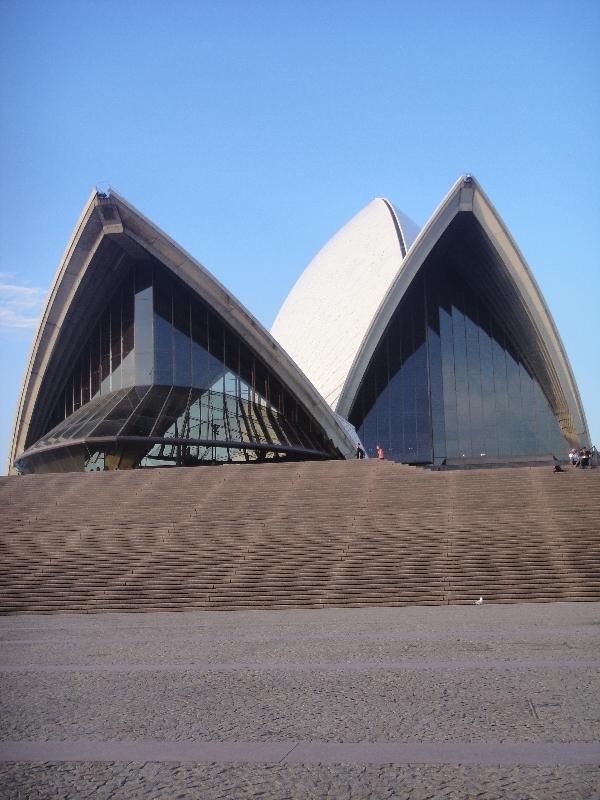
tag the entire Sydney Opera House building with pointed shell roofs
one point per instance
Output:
(434, 344)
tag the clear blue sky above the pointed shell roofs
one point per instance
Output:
(251, 131)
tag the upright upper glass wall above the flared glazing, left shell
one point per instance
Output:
(156, 331)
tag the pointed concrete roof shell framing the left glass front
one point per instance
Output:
(86, 274)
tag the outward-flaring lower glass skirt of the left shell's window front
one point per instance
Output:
(147, 426)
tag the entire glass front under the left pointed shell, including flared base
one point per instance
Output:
(162, 380)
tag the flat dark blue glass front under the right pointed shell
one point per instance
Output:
(450, 378)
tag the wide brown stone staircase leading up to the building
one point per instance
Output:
(311, 534)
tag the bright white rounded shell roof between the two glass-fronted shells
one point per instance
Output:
(341, 291)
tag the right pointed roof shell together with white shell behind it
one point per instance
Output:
(340, 307)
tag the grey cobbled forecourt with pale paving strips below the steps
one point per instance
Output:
(454, 702)
